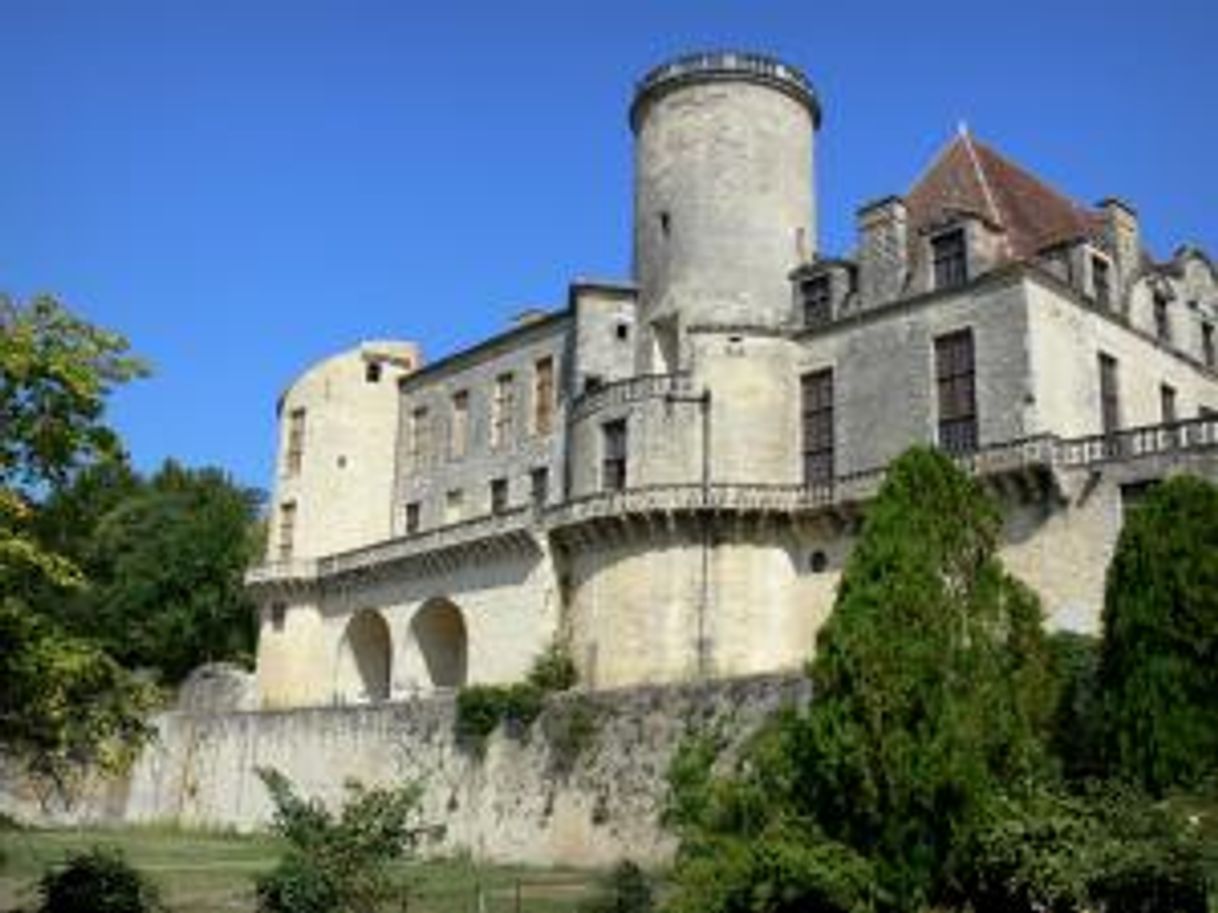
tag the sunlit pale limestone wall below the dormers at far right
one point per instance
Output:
(1066, 340)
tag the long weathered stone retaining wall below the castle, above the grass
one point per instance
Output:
(541, 797)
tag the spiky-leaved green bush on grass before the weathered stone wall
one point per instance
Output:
(337, 865)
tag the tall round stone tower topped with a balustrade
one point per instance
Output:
(724, 208)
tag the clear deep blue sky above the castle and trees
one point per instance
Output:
(244, 188)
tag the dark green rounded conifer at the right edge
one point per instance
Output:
(1159, 665)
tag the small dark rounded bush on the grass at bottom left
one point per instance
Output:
(98, 882)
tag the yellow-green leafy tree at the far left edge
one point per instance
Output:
(65, 705)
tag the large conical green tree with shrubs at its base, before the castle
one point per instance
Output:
(934, 694)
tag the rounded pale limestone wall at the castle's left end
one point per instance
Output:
(345, 485)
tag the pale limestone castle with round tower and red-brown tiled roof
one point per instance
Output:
(667, 475)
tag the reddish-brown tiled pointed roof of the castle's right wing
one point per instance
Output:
(971, 178)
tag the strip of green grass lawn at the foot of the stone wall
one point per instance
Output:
(203, 872)
